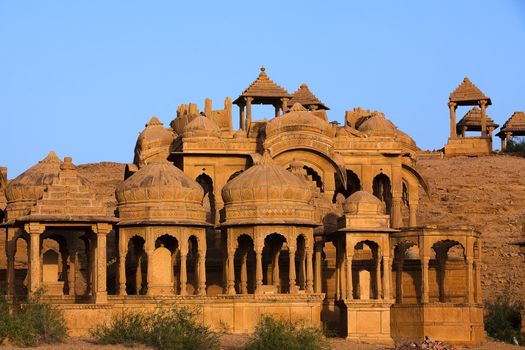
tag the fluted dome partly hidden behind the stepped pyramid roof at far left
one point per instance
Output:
(28, 187)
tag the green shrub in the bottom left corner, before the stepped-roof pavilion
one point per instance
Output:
(31, 324)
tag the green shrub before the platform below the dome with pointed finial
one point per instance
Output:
(273, 333)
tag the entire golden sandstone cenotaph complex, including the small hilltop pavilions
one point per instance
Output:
(294, 216)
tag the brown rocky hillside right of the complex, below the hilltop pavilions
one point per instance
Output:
(489, 194)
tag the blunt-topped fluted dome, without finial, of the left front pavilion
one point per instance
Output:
(159, 191)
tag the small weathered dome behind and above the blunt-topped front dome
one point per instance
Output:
(153, 143)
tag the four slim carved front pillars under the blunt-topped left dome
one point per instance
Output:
(183, 279)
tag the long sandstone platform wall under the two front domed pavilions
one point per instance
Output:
(232, 313)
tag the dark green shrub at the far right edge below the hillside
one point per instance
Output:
(503, 319)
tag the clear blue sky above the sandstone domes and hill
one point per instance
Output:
(83, 77)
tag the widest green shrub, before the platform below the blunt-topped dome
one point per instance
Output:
(164, 328)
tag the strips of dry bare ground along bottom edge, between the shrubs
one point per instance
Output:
(236, 342)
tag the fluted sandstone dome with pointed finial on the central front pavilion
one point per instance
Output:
(267, 193)
